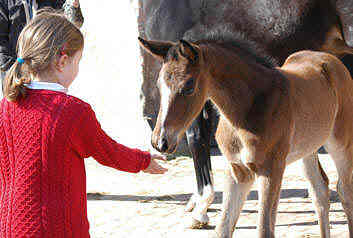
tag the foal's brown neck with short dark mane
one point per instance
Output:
(237, 81)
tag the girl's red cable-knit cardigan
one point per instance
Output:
(43, 141)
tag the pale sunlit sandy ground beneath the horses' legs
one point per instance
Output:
(141, 205)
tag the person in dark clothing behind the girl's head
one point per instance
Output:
(14, 14)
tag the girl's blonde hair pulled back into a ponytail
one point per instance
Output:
(49, 35)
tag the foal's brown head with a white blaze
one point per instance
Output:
(183, 89)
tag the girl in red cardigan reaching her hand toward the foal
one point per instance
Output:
(45, 134)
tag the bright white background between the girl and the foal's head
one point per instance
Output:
(110, 70)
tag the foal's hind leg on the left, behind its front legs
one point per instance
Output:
(319, 189)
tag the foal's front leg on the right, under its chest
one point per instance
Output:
(269, 186)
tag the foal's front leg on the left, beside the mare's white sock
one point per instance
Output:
(238, 181)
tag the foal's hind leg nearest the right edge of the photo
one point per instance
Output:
(343, 158)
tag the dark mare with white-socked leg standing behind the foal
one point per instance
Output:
(270, 29)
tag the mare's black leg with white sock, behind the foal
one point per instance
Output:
(199, 136)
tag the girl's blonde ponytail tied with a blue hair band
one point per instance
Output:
(15, 80)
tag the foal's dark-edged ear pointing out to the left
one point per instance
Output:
(157, 49)
